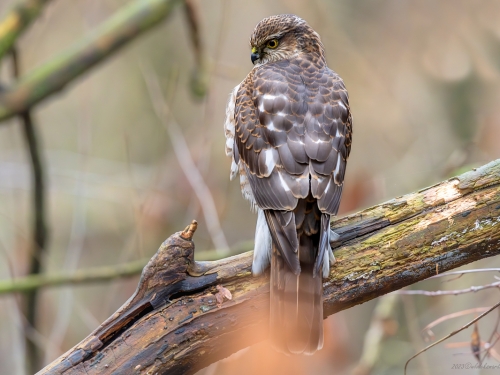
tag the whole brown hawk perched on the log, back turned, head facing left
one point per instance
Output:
(288, 131)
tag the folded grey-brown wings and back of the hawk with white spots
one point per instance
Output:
(293, 133)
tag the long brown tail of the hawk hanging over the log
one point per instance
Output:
(300, 239)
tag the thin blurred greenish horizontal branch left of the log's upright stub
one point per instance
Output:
(82, 276)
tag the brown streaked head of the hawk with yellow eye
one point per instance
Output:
(283, 37)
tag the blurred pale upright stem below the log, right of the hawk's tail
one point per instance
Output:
(383, 324)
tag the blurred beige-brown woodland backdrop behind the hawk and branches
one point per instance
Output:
(424, 85)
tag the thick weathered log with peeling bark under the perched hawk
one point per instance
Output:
(172, 324)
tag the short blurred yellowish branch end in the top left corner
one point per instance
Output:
(17, 20)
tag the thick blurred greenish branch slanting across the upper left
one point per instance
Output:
(53, 75)
